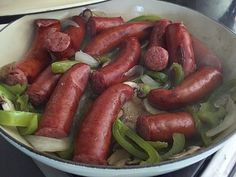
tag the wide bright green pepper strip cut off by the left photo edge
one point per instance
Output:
(20, 119)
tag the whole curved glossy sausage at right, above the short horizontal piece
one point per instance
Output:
(195, 87)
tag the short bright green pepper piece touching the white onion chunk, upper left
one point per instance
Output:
(63, 66)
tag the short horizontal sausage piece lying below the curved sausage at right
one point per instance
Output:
(161, 127)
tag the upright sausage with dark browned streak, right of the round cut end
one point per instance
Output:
(179, 46)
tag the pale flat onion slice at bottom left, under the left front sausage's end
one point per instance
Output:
(46, 144)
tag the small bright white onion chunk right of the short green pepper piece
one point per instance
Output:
(86, 58)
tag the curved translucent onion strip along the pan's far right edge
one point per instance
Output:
(228, 121)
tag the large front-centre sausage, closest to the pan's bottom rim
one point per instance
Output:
(93, 141)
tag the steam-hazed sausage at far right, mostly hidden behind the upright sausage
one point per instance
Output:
(204, 56)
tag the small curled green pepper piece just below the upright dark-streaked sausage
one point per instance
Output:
(178, 73)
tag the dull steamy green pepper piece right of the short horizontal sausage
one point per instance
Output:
(209, 114)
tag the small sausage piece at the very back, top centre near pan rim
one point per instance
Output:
(98, 24)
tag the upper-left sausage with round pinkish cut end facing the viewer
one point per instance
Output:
(64, 44)
